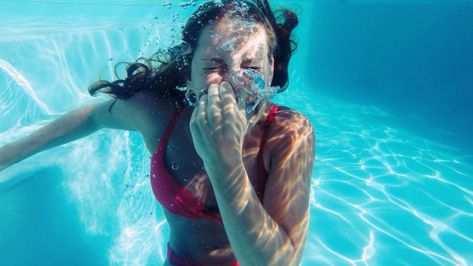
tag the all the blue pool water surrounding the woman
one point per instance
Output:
(386, 85)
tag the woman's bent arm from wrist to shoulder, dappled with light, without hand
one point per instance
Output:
(272, 232)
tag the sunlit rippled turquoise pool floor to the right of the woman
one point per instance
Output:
(383, 195)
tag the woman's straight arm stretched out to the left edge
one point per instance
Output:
(72, 126)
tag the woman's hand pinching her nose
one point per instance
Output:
(218, 126)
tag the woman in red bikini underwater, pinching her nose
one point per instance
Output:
(250, 206)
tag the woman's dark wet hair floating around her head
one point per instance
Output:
(167, 70)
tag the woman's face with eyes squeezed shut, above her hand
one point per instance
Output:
(227, 46)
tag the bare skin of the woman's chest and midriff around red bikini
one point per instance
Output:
(198, 239)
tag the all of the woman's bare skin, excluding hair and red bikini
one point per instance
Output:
(271, 233)
